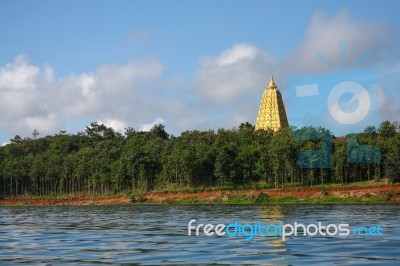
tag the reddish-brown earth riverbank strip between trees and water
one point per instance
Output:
(313, 195)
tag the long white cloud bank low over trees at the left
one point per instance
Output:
(32, 98)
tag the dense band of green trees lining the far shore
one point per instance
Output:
(100, 160)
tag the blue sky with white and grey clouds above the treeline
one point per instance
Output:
(187, 64)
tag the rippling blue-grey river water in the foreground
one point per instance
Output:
(88, 235)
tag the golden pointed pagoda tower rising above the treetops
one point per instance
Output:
(272, 114)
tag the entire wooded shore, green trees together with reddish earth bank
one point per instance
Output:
(234, 166)
